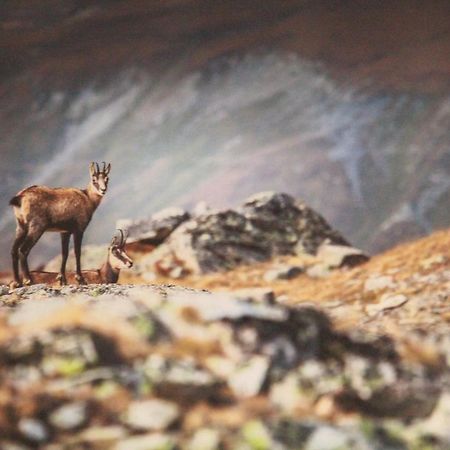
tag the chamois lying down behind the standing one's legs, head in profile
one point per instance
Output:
(116, 259)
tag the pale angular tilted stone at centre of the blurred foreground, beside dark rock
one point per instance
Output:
(248, 379)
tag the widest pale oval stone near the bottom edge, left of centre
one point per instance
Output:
(151, 414)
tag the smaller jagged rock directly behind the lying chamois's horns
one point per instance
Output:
(155, 229)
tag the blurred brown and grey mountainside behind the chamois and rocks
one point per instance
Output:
(345, 104)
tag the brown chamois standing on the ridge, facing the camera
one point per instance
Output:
(65, 210)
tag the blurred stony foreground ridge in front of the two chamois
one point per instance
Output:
(147, 367)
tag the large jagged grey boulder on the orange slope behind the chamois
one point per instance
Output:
(266, 224)
